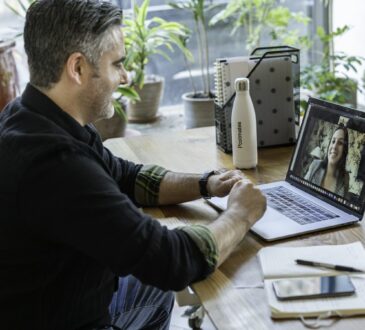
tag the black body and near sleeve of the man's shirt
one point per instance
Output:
(69, 223)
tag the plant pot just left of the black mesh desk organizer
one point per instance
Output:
(199, 112)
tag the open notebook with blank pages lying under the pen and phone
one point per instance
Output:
(279, 263)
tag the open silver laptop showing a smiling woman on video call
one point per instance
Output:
(309, 200)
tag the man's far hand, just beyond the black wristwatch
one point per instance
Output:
(221, 184)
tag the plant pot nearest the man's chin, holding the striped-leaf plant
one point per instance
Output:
(146, 110)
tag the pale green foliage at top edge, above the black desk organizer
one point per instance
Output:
(259, 16)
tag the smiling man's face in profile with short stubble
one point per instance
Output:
(104, 80)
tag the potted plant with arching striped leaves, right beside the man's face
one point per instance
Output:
(144, 38)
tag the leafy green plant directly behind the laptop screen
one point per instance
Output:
(329, 80)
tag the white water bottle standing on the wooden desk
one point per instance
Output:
(244, 136)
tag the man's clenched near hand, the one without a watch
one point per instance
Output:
(247, 201)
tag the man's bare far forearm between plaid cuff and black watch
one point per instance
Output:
(178, 188)
